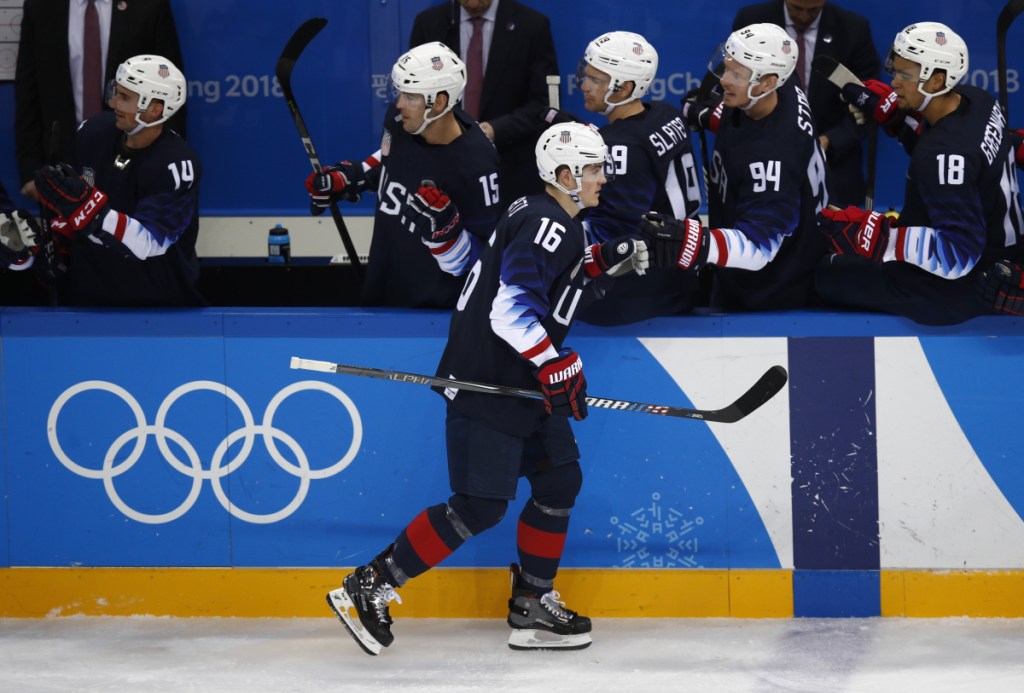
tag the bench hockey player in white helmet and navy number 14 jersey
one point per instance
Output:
(129, 214)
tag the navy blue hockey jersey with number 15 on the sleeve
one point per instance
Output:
(402, 272)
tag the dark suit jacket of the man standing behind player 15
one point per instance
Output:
(516, 89)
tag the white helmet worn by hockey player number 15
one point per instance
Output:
(429, 70)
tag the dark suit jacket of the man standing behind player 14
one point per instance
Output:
(42, 79)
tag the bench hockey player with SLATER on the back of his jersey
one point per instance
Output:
(653, 169)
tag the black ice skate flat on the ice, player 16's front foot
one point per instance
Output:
(544, 623)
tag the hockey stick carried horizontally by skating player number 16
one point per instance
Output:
(767, 386)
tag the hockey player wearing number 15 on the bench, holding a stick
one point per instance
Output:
(437, 178)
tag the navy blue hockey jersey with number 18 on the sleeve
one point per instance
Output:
(962, 203)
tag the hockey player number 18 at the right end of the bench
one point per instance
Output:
(961, 206)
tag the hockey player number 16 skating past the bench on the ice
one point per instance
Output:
(508, 329)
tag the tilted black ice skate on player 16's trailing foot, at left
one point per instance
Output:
(367, 593)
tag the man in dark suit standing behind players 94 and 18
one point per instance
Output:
(826, 29)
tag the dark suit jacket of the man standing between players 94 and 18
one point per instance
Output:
(846, 37)
